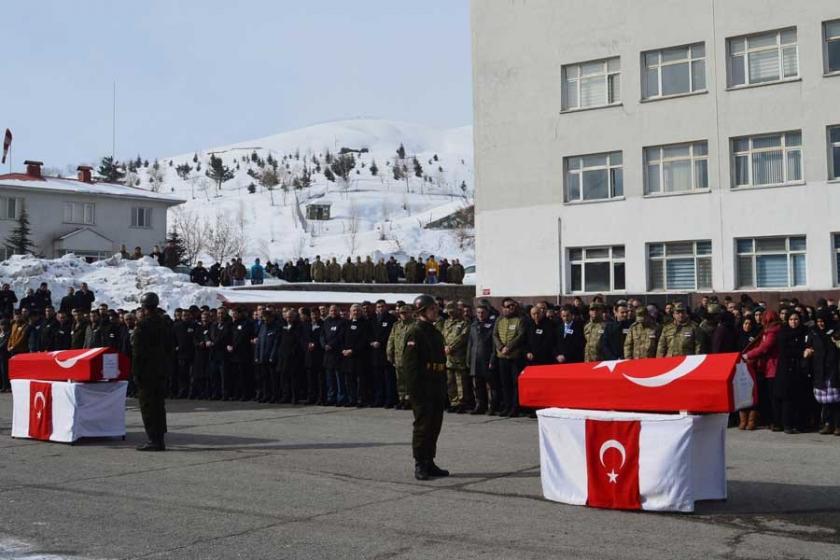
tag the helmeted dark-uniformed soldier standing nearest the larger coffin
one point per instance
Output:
(424, 363)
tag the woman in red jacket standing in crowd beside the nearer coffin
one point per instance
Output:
(764, 358)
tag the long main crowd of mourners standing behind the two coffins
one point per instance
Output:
(351, 356)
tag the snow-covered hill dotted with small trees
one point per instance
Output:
(370, 214)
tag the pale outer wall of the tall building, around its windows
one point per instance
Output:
(521, 137)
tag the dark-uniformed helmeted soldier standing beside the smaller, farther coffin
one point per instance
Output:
(150, 351)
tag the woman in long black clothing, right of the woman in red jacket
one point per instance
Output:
(791, 375)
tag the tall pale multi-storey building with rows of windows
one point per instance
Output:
(656, 147)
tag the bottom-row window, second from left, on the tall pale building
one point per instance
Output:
(682, 265)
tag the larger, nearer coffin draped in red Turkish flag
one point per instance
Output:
(713, 383)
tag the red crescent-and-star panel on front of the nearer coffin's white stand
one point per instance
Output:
(612, 464)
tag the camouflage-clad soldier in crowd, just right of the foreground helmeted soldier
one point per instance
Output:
(456, 333)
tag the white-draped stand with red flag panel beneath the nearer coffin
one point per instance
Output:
(625, 460)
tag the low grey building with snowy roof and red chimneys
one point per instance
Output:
(92, 220)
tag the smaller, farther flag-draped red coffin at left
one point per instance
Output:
(89, 364)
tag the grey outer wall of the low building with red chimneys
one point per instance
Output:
(112, 218)
